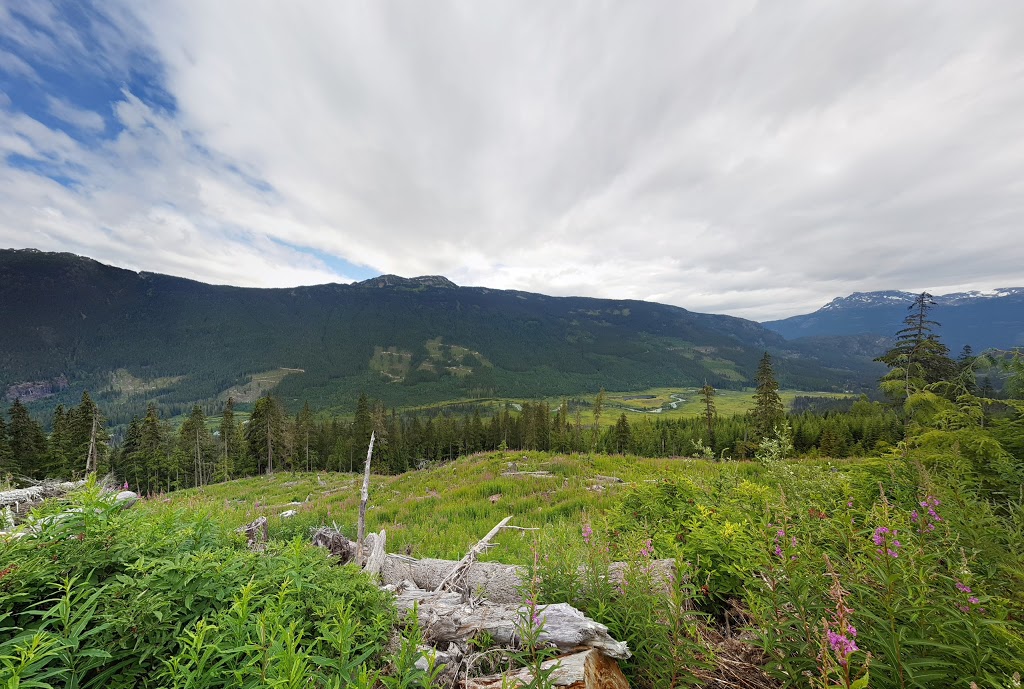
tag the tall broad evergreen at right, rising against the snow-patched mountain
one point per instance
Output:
(919, 358)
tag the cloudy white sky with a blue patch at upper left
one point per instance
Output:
(757, 159)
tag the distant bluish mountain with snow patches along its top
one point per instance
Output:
(983, 320)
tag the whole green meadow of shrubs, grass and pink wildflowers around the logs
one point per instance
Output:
(893, 572)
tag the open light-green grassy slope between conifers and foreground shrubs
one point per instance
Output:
(441, 512)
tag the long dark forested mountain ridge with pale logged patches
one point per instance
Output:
(72, 324)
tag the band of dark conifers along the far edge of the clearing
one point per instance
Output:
(153, 455)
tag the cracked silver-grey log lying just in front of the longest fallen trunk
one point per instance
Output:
(444, 617)
